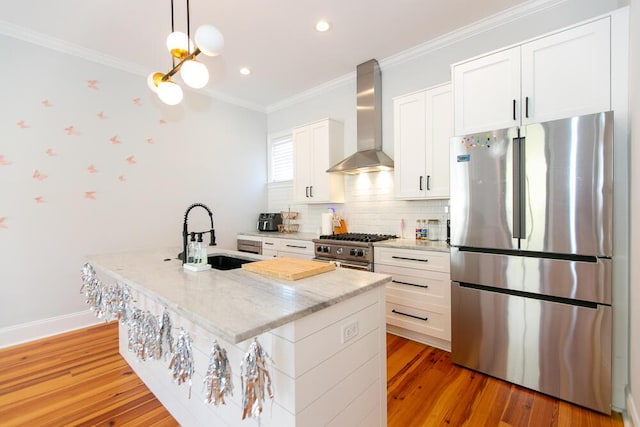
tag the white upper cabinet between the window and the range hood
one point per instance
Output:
(317, 147)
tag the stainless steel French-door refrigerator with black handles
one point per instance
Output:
(531, 237)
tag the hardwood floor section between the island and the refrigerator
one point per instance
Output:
(425, 389)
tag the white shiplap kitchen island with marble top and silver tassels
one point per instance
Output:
(325, 335)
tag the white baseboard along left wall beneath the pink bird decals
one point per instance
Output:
(24, 332)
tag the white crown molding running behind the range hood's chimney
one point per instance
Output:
(483, 25)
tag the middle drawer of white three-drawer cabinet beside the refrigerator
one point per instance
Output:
(417, 288)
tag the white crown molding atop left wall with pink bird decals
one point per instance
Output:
(33, 37)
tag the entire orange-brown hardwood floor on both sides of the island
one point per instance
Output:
(79, 379)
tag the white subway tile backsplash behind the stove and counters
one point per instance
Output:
(370, 207)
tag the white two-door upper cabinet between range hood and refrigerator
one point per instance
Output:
(422, 128)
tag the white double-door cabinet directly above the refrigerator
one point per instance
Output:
(561, 75)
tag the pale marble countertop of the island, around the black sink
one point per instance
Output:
(234, 305)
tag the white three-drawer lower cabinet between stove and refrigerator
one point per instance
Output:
(418, 299)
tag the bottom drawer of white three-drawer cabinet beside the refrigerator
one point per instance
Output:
(423, 321)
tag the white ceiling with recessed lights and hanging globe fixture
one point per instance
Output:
(275, 38)
